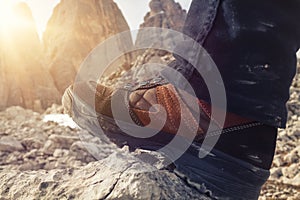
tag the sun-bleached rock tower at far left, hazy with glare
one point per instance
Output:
(24, 79)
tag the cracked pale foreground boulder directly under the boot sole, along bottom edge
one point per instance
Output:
(117, 177)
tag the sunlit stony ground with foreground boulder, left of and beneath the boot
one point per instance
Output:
(41, 159)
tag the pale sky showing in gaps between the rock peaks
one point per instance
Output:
(133, 10)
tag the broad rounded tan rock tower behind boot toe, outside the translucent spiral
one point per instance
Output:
(74, 29)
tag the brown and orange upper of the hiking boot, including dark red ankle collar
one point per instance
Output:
(174, 106)
